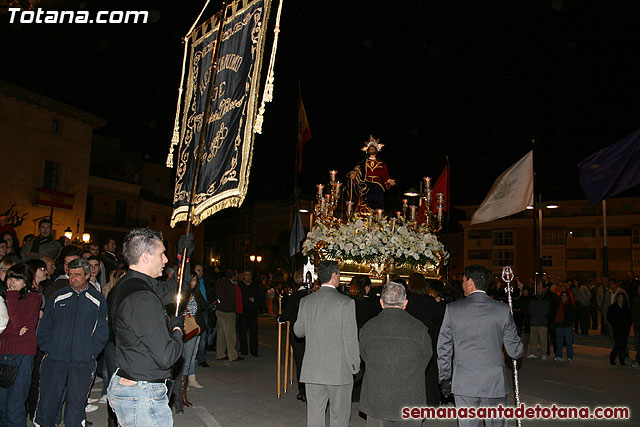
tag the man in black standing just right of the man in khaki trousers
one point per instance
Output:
(248, 320)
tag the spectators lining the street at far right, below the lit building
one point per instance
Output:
(550, 316)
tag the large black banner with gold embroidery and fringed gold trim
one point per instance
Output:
(226, 159)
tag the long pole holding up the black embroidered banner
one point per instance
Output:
(201, 144)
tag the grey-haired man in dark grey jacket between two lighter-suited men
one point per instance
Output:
(396, 349)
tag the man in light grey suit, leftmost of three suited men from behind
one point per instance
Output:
(328, 321)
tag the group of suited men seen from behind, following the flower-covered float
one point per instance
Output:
(405, 344)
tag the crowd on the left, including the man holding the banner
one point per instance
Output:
(67, 321)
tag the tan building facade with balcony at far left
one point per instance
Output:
(46, 148)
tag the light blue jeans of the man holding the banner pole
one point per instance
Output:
(142, 404)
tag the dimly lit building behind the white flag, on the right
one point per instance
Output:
(572, 240)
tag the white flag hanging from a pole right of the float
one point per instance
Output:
(511, 193)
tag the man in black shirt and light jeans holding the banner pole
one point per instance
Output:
(147, 345)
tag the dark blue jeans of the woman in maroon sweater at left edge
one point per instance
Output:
(13, 398)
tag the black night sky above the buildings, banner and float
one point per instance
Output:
(474, 80)
